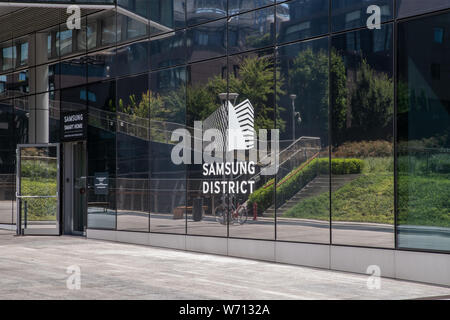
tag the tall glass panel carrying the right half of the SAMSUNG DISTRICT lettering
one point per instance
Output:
(252, 78)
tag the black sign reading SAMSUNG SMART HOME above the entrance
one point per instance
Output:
(73, 126)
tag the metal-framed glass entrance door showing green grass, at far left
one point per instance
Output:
(37, 189)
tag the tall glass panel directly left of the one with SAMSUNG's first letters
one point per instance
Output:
(168, 180)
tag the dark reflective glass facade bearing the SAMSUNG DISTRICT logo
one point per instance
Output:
(362, 114)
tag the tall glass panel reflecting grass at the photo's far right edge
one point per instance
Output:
(424, 134)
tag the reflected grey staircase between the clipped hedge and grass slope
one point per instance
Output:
(317, 186)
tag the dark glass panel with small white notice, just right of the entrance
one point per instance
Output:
(101, 147)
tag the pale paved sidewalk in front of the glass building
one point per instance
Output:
(35, 268)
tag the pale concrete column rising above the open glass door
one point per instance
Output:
(39, 104)
